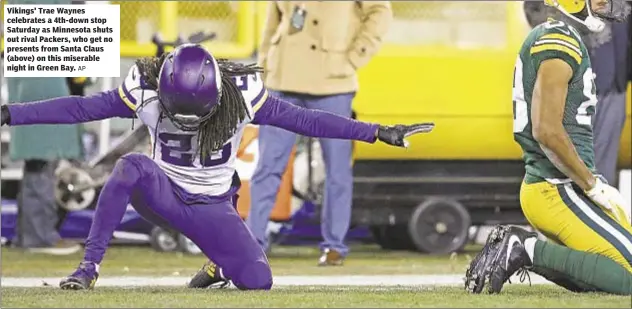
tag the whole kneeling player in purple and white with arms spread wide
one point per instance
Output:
(196, 108)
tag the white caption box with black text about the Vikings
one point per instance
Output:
(62, 40)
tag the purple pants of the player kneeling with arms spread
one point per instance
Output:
(212, 223)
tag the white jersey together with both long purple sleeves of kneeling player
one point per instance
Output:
(175, 149)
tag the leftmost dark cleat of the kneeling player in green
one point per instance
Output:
(475, 275)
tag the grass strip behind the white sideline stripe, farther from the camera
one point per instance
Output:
(284, 260)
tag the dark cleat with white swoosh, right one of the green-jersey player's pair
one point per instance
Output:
(511, 257)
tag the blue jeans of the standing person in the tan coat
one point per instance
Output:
(275, 146)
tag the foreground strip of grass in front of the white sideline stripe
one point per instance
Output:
(307, 297)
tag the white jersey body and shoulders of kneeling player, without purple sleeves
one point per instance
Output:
(175, 149)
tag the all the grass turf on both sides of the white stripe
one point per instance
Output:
(296, 261)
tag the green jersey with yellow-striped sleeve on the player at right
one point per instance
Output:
(554, 39)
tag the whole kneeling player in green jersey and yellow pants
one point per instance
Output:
(562, 195)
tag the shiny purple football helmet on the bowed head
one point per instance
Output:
(189, 86)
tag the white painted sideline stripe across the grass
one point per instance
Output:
(279, 281)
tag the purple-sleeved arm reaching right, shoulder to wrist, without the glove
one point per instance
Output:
(276, 112)
